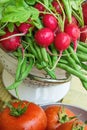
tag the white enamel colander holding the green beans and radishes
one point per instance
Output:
(36, 87)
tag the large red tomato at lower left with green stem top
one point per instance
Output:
(34, 118)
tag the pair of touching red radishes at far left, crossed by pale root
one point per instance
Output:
(12, 40)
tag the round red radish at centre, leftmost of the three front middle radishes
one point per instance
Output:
(44, 37)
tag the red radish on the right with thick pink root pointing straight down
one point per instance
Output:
(74, 32)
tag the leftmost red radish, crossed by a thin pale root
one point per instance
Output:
(10, 44)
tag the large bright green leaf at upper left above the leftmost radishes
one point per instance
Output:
(20, 14)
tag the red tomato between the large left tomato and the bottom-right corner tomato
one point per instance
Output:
(55, 116)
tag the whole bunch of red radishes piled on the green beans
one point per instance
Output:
(50, 33)
